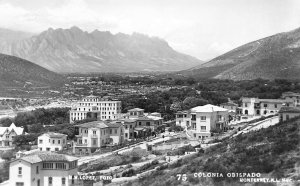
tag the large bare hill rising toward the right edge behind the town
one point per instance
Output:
(277, 56)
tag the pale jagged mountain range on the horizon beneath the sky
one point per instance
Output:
(73, 50)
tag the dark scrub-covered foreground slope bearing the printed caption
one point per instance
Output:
(273, 152)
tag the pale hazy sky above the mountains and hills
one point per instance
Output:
(201, 28)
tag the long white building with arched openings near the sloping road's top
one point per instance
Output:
(263, 107)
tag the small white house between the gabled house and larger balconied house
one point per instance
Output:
(51, 141)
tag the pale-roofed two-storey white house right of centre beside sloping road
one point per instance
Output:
(200, 121)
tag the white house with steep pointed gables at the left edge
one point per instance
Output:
(7, 135)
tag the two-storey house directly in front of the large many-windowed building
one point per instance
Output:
(94, 135)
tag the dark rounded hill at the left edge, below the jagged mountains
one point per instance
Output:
(17, 72)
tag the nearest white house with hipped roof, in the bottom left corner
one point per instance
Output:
(44, 169)
